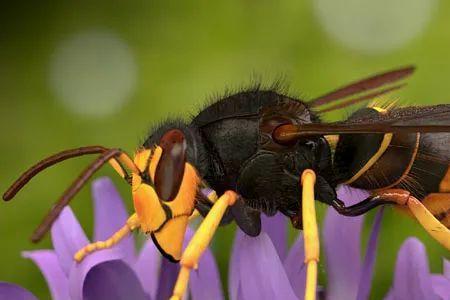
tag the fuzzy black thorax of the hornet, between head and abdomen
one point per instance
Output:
(230, 144)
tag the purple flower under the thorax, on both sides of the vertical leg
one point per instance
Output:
(263, 267)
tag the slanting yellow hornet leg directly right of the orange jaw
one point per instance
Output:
(200, 242)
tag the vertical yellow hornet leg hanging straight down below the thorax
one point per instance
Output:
(310, 233)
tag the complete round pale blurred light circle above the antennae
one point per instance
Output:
(93, 73)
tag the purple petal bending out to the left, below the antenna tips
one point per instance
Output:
(47, 261)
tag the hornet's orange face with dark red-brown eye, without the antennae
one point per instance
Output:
(164, 190)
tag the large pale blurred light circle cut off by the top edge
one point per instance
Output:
(374, 26)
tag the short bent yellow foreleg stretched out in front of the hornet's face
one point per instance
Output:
(132, 223)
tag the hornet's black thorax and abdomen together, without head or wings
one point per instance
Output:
(231, 143)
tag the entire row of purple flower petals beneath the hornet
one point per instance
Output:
(260, 268)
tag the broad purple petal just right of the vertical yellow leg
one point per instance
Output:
(342, 250)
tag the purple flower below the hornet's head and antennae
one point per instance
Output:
(117, 273)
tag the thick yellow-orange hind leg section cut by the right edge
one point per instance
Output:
(432, 225)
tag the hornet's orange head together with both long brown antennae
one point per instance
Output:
(162, 176)
